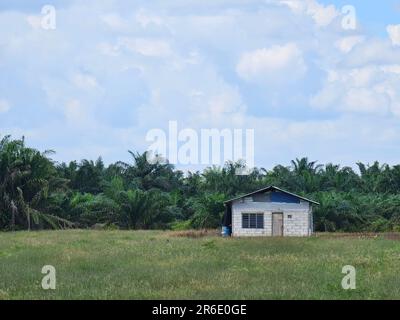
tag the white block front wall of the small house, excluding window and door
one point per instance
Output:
(300, 224)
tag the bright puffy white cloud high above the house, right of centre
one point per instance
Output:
(272, 64)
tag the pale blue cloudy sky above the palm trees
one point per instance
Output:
(297, 72)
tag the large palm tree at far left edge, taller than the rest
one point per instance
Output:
(25, 181)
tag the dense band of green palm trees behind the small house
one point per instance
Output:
(37, 193)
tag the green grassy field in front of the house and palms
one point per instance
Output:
(161, 265)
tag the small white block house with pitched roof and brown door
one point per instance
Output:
(270, 211)
